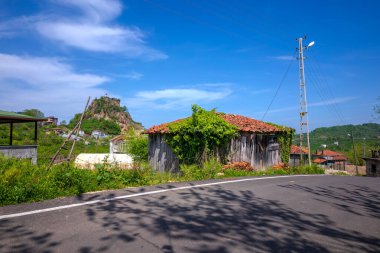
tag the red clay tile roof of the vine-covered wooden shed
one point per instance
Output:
(244, 124)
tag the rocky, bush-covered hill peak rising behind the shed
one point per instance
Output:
(106, 114)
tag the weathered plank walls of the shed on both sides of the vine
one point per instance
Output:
(260, 150)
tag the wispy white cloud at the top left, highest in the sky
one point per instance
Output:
(92, 28)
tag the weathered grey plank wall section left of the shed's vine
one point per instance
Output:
(161, 156)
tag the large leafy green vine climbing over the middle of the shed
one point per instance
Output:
(195, 139)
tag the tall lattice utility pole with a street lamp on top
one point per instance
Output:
(304, 118)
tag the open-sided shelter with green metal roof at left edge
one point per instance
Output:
(24, 151)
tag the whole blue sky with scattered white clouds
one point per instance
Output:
(160, 57)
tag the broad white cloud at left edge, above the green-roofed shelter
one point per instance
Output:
(47, 84)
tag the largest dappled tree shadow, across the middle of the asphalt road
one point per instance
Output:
(213, 219)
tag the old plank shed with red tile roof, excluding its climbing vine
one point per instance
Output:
(256, 143)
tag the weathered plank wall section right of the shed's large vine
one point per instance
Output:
(258, 149)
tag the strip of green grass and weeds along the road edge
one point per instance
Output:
(22, 182)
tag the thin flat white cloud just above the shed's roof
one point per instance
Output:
(175, 98)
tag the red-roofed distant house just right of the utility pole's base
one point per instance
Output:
(330, 159)
